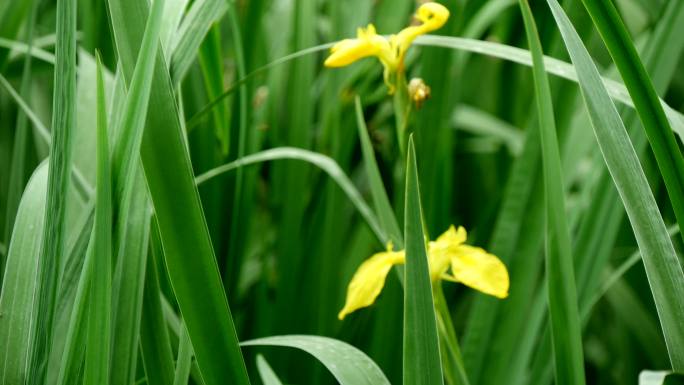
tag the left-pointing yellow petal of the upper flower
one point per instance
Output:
(367, 43)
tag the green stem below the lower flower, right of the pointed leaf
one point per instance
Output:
(452, 360)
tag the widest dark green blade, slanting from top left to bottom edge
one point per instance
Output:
(196, 281)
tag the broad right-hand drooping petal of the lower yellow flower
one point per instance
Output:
(480, 270)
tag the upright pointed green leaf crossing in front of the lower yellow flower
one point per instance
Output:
(422, 362)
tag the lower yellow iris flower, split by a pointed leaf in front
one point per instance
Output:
(469, 265)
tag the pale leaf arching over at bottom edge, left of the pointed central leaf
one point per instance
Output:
(349, 365)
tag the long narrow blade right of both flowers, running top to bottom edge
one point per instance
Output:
(560, 276)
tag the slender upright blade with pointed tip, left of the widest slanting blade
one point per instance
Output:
(100, 298)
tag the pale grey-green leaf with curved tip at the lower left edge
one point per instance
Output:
(17, 301)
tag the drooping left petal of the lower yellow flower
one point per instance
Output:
(369, 280)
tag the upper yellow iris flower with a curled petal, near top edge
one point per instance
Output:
(390, 51)
